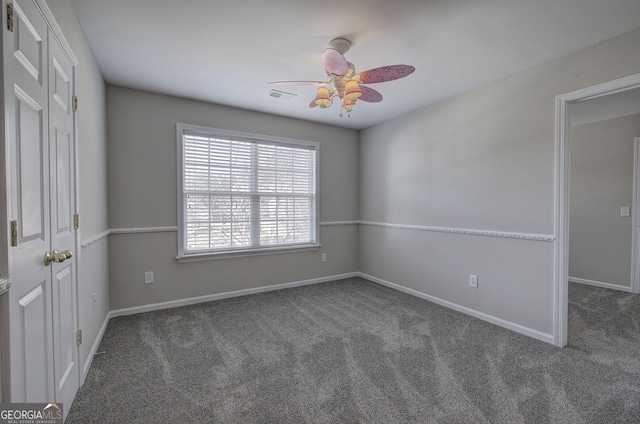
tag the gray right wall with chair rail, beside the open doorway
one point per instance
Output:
(481, 160)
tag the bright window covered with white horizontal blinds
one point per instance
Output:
(244, 194)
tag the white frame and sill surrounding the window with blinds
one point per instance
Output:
(189, 256)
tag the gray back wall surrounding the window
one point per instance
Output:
(142, 193)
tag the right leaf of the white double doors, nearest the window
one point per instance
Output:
(62, 207)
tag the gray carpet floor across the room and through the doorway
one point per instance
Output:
(352, 351)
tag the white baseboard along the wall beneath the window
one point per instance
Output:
(218, 296)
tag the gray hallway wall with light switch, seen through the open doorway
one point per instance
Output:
(601, 181)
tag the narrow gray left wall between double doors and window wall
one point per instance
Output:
(91, 116)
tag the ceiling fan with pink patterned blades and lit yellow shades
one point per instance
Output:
(342, 81)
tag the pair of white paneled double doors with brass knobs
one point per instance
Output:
(42, 316)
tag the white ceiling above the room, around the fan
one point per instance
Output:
(227, 51)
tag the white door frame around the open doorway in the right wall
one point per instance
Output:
(561, 263)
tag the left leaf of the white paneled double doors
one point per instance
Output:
(25, 56)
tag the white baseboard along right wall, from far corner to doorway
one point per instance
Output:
(480, 315)
